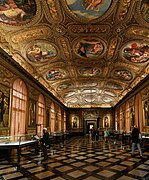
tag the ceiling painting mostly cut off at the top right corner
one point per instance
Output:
(145, 10)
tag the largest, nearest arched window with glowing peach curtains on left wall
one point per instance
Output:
(19, 102)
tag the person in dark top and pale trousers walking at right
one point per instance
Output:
(135, 141)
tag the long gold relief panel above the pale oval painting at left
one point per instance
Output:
(33, 33)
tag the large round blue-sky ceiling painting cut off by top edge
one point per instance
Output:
(89, 9)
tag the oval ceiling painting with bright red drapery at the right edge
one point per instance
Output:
(136, 52)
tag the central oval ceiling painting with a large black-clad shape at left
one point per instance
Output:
(89, 48)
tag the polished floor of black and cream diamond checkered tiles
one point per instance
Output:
(80, 158)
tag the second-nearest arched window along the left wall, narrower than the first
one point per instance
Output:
(41, 114)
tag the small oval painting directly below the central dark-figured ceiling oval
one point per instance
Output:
(89, 71)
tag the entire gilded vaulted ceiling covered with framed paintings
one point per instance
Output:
(87, 53)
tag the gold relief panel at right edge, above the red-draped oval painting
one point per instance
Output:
(138, 32)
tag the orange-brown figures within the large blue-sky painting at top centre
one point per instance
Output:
(92, 4)
